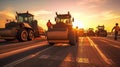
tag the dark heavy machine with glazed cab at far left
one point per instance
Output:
(24, 29)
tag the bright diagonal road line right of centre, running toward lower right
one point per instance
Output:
(108, 61)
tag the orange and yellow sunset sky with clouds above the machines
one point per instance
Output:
(87, 13)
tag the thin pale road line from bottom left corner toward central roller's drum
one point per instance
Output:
(12, 64)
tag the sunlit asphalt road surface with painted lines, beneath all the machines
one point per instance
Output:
(89, 52)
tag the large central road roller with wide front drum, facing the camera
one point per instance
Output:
(62, 31)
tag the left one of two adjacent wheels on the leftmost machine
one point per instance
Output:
(22, 35)
